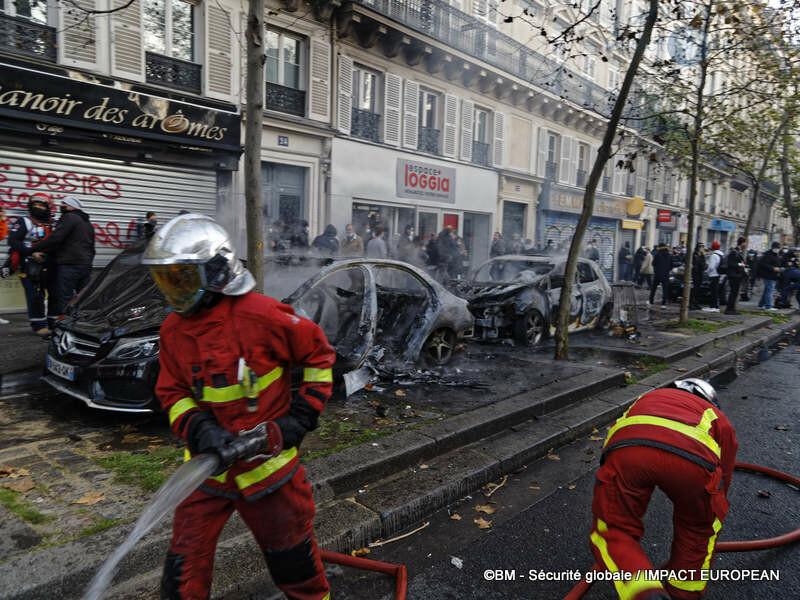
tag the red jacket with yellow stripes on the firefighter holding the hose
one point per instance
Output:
(199, 358)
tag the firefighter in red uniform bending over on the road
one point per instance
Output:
(677, 439)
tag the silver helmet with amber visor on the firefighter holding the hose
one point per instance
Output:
(190, 255)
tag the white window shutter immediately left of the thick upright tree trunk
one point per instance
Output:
(219, 53)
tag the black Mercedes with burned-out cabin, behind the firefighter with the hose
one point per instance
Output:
(105, 351)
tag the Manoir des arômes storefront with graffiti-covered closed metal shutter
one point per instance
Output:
(122, 153)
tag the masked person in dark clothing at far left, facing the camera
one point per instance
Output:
(36, 276)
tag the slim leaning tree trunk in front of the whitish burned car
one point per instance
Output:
(603, 153)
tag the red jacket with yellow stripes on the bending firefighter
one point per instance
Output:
(684, 424)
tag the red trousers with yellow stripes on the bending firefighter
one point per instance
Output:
(622, 492)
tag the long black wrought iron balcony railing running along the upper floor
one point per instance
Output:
(437, 19)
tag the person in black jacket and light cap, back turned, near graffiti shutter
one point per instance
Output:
(72, 243)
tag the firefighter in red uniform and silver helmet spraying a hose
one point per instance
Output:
(225, 356)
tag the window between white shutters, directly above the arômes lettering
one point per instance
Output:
(169, 28)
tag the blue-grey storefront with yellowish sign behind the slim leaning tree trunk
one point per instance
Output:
(560, 208)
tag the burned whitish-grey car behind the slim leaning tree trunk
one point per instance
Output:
(517, 297)
